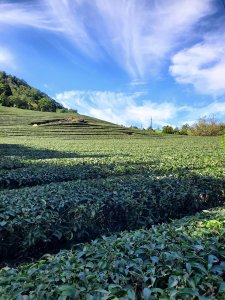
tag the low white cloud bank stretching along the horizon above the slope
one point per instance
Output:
(128, 109)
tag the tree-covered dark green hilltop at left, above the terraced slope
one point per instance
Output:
(15, 92)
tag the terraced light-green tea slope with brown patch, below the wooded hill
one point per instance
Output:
(20, 122)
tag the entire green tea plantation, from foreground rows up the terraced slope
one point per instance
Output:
(86, 210)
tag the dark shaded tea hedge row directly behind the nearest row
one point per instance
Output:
(45, 214)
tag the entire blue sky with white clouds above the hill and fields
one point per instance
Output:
(124, 61)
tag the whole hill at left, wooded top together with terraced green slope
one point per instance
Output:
(26, 111)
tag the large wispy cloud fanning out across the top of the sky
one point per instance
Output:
(137, 35)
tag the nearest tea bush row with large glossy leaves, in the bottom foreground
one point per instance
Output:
(183, 260)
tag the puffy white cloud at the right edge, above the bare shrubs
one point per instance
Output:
(202, 65)
